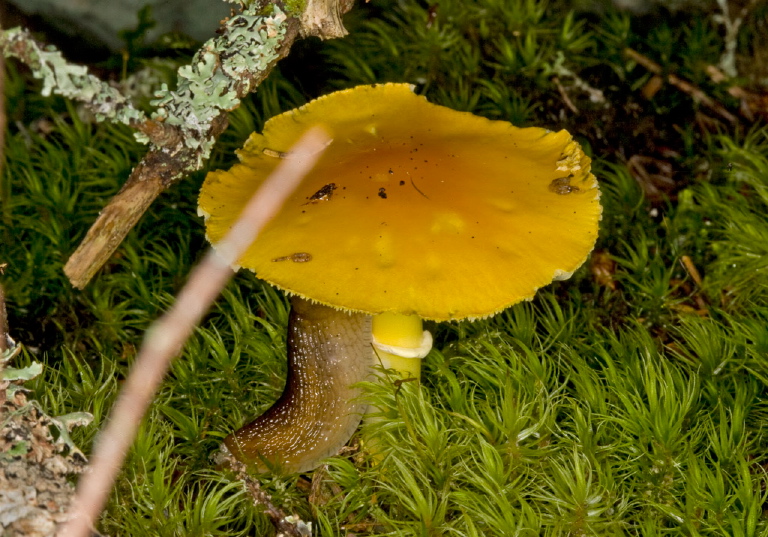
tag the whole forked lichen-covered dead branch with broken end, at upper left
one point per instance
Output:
(188, 120)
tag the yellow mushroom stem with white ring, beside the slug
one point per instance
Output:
(401, 343)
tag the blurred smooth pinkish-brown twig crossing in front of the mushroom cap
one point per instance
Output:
(166, 336)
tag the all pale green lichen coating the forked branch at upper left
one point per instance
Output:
(224, 69)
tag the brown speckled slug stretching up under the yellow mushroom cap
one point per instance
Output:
(328, 352)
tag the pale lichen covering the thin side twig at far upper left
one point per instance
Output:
(71, 81)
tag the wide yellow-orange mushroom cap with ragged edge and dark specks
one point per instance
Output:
(413, 208)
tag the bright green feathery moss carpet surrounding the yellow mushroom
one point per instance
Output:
(626, 404)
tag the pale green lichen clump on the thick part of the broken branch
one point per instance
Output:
(223, 67)
